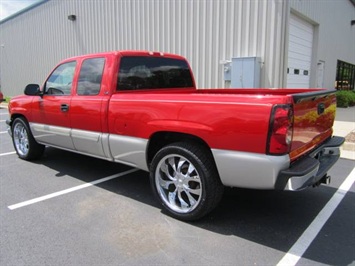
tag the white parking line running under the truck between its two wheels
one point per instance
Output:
(62, 192)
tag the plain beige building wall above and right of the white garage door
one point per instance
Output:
(334, 35)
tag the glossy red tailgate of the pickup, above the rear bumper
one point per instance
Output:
(314, 114)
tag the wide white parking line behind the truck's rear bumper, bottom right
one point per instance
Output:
(298, 249)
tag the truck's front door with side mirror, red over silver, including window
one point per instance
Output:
(51, 112)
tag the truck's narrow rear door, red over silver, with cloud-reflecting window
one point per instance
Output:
(89, 109)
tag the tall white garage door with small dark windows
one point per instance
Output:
(299, 53)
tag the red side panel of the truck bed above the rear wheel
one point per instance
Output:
(223, 121)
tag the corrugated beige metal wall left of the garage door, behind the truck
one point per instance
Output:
(204, 31)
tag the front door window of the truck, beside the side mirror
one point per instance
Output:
(60, 81)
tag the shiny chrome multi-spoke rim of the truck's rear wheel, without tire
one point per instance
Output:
(178, 183)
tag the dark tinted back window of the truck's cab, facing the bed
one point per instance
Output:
(142, 72)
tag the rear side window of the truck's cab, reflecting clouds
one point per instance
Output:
(90, 76)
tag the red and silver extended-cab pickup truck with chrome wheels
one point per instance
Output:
(143, 109)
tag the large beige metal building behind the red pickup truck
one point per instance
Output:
(241, 43)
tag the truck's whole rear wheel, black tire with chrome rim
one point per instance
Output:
(185, 180)
